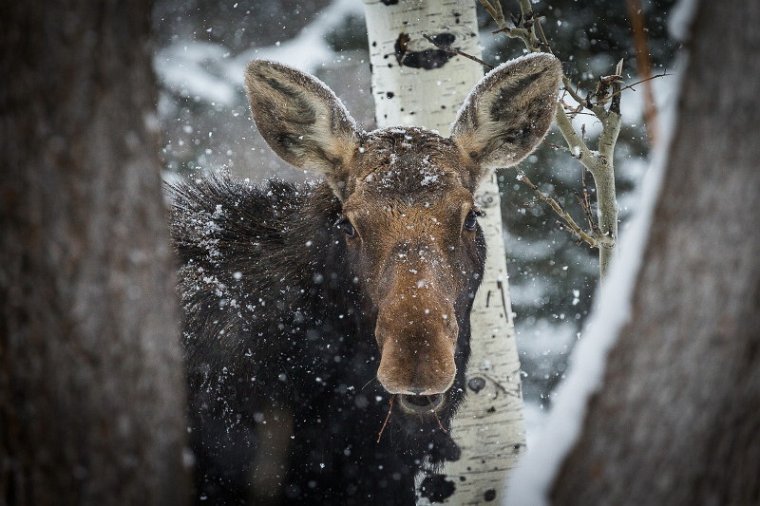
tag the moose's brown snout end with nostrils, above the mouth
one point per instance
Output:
(417, 354)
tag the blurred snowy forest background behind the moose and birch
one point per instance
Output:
(204, 45)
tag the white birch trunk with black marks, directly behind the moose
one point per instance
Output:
(415, 84)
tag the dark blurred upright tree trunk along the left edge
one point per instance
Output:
(91, 385)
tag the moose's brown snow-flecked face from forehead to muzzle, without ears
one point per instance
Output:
(413, 242)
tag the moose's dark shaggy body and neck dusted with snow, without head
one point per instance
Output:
(275, 323)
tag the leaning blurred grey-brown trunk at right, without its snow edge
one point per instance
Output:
(678, 418)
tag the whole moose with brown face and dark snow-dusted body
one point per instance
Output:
(326, 325)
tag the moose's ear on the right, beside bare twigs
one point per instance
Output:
(508, 112)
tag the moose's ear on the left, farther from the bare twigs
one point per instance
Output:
(301, 119)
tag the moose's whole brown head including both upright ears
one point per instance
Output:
(408, 211)
